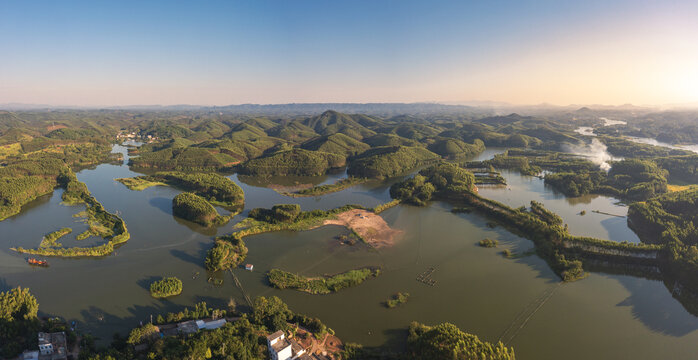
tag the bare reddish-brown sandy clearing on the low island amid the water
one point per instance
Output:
(370, 226)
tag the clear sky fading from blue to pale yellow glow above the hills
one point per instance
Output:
(117, 53)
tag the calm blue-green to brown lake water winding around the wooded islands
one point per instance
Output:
(519, 301)
